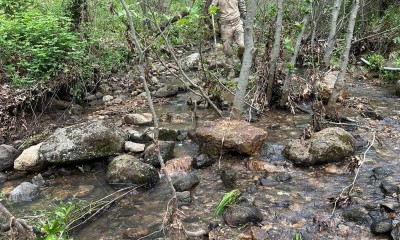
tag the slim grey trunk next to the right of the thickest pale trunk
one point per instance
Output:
(275, 51)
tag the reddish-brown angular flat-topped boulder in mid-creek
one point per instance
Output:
(236, 136)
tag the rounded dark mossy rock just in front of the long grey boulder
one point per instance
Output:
(129, 170)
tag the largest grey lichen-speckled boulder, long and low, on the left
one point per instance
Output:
(82, 142)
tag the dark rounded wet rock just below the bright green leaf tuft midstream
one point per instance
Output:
(238, 215)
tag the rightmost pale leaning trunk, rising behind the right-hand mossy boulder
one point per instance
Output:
(339, 84)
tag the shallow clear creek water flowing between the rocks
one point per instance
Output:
(287, 207)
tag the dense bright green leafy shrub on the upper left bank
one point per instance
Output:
(36, 46)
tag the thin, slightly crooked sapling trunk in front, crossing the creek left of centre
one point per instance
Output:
(142, 63)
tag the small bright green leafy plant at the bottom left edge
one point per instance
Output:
(56, 225)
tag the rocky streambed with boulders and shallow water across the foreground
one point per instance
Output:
(289, 186)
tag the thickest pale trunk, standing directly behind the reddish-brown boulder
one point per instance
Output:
(238, 102)
